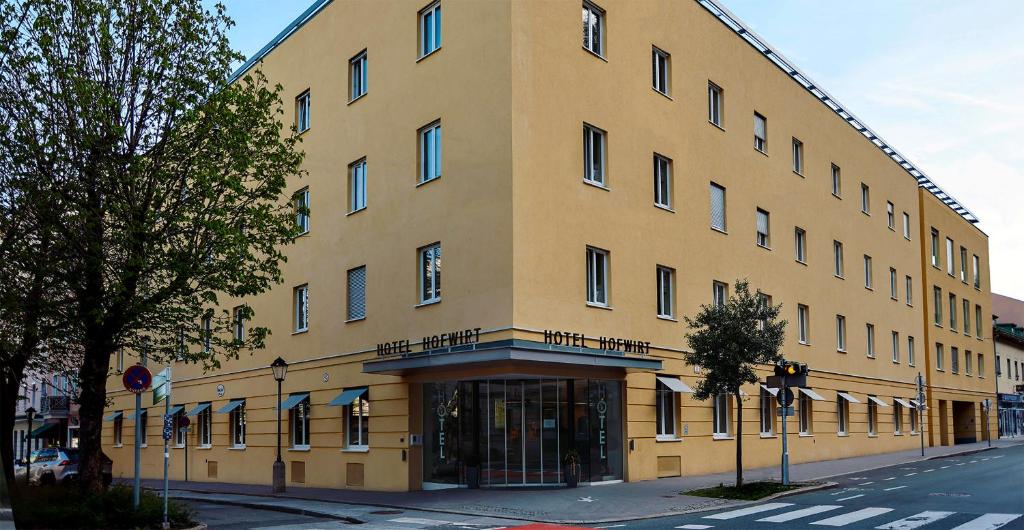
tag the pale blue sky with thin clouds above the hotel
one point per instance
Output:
(943, 81)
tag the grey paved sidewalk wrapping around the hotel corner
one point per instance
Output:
(585, 505)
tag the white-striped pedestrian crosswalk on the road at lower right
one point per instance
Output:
(831, 516)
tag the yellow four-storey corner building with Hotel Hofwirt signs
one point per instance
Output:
(586, 198)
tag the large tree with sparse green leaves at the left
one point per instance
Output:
(164, 178)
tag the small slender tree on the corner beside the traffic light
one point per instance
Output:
(729, 342)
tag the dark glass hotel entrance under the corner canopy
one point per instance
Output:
(517, 432)
